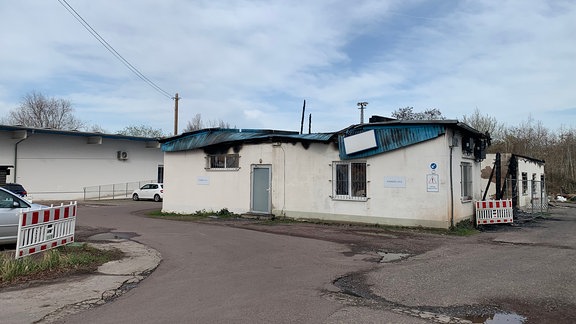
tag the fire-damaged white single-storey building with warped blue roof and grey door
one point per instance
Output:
(417, 173)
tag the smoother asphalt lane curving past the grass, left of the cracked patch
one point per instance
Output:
(215, 274)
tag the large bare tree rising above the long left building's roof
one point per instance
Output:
(37, 110)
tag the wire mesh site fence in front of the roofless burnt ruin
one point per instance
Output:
(530, 195)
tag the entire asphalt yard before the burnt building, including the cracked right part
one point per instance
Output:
(223, 274)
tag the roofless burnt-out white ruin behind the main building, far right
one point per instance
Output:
(522, 179)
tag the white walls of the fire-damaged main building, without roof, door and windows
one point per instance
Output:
(411, 186)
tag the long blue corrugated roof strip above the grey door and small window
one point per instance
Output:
(217, 136)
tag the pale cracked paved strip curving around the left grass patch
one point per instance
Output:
(50, 302)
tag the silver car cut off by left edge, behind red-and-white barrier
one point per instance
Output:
(10, 207)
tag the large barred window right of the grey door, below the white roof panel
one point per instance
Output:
(349, 180)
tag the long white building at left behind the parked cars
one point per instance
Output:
(57, 164)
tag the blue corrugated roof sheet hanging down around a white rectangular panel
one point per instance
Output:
(391, 137)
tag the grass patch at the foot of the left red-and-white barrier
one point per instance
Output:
(54, 263)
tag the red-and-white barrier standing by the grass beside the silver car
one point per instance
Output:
(43, 229)
